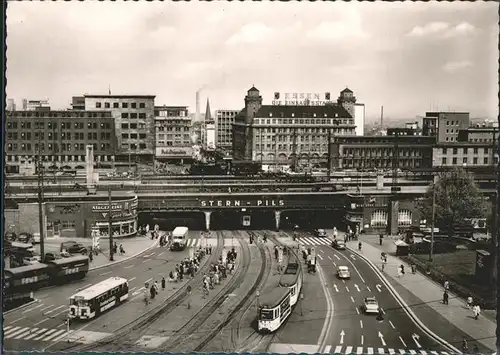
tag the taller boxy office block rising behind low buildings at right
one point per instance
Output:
(445, 125)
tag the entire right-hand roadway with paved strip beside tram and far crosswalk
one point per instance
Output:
(351, 330)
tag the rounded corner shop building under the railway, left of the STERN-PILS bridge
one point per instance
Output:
(81, 219)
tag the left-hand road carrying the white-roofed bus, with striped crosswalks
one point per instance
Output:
(41, 325)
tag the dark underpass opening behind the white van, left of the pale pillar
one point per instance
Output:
(167, 221)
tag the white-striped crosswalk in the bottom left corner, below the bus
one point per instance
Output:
(52, 335)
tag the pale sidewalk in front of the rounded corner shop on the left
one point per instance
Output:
(133, 247)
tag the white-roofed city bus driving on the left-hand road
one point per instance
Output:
(94, 300)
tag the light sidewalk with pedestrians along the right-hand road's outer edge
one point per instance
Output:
(482, 329)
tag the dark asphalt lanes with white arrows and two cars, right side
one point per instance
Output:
(396, 331)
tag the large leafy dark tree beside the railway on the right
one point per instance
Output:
(457, 199)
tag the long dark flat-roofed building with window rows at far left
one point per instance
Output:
(59, 138)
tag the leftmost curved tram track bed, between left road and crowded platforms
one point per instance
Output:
(120, 335)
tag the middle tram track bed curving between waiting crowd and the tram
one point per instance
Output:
(194, 337)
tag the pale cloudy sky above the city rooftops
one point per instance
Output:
(408, 57)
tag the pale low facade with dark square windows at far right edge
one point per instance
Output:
(464, 154)
